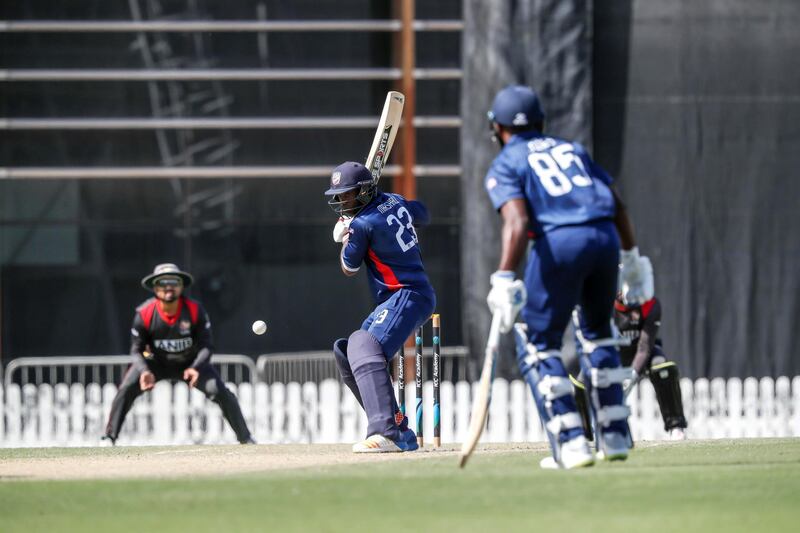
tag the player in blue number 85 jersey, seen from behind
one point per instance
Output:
(550, 190)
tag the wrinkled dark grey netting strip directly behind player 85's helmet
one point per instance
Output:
(545, 44)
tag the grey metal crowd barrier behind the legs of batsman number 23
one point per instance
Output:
(316, 366)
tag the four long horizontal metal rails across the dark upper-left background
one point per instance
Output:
(159, 124)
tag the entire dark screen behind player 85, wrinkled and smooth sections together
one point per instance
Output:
(694, 111)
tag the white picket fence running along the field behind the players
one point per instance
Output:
(75, 415)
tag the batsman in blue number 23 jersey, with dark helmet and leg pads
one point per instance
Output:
(377, 229)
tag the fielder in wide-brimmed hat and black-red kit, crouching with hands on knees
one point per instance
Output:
(171, 339)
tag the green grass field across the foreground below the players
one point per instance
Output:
(726, 486)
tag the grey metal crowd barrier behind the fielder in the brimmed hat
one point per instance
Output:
(108, 369)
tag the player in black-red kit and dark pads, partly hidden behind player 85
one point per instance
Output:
(645, 355)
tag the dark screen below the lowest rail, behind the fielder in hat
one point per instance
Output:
(264, 253)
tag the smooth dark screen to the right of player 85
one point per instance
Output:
(697, 109)
